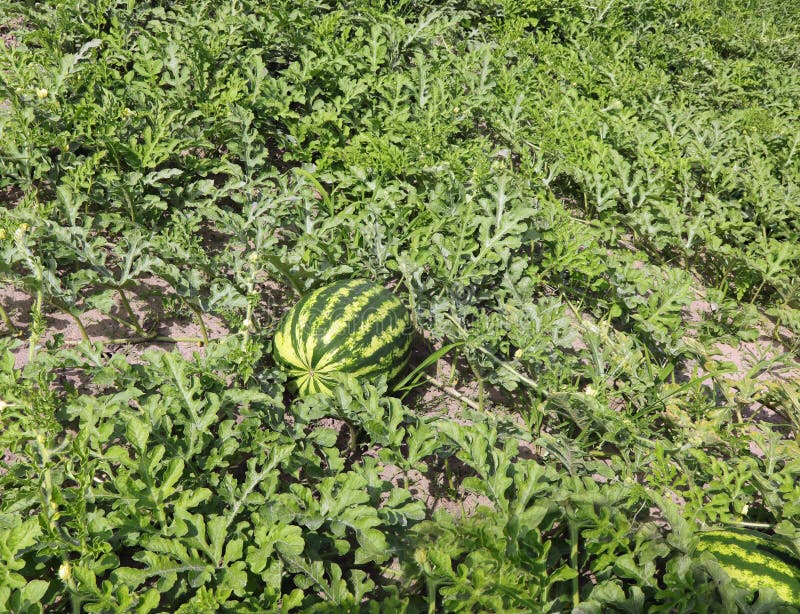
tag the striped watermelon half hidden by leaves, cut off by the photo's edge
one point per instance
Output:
(753, 561)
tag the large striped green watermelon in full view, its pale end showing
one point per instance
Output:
(355, 326)
